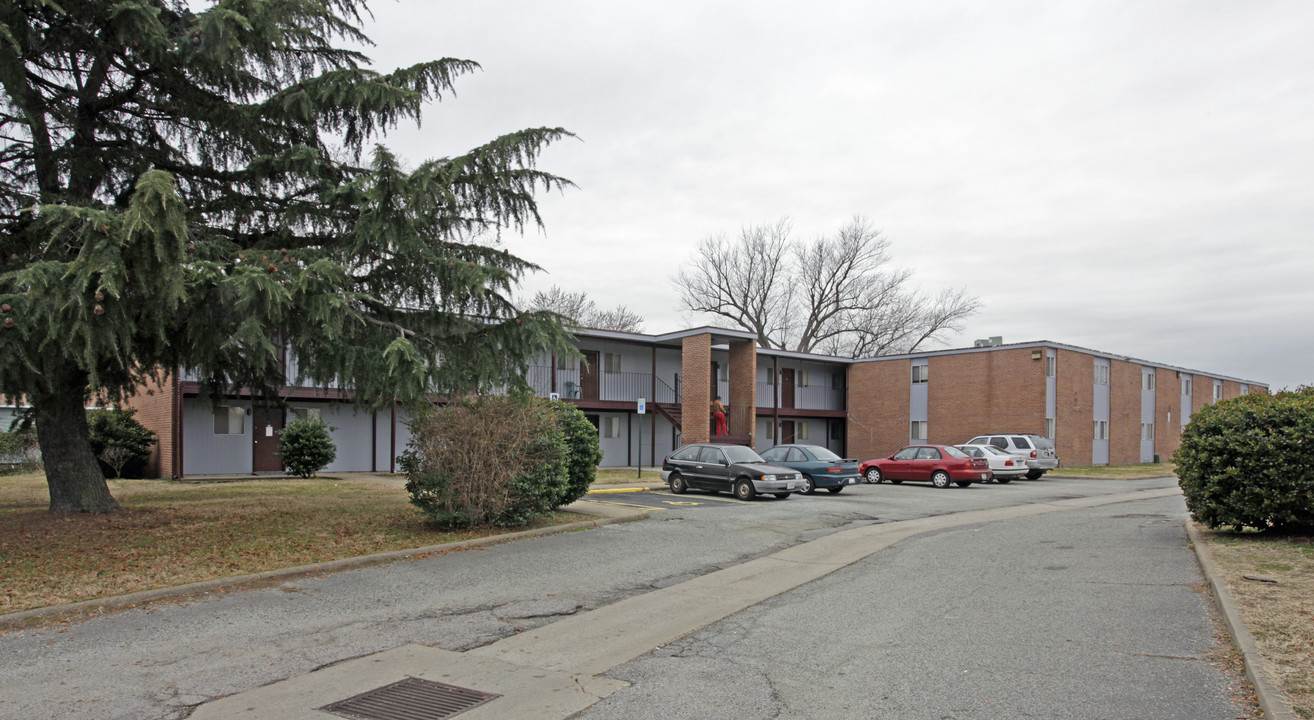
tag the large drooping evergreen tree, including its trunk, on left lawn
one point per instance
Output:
(200, 190)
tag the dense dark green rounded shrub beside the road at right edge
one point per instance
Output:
(1250, 463)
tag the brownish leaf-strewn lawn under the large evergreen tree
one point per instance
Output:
(173, 534)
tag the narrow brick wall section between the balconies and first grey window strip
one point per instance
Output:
(878, 408)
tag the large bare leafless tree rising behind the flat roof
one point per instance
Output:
(838, 295)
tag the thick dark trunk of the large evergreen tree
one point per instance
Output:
(77, 484)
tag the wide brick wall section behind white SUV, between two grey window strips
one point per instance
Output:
(985, 392)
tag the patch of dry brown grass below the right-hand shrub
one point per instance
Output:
(1280, 616)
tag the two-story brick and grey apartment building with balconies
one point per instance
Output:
(1099, 408)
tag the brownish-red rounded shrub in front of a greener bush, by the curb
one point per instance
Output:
(488, 459)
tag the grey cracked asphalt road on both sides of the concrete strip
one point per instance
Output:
(1077, 614)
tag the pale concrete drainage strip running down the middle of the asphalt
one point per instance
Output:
(554, 672)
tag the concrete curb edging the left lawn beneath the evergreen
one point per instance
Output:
(101, 606)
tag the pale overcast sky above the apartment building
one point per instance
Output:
(1127, 177)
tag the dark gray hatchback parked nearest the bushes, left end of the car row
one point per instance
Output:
(727, 468)
